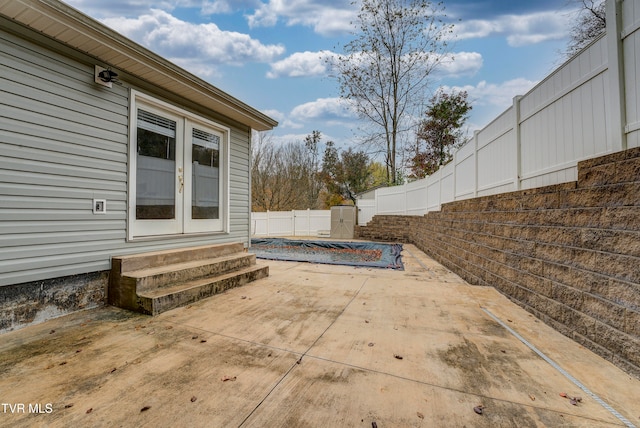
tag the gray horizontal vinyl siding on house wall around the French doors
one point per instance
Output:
(63, 142)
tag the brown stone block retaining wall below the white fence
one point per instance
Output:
(569, 253)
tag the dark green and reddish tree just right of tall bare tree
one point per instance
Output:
(440, 132)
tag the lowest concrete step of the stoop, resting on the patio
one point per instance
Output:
(154, 302)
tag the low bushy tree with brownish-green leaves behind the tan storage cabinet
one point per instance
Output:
(345, 175)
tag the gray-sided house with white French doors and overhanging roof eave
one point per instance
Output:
(105, 149)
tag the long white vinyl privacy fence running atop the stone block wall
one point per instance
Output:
(588, 107)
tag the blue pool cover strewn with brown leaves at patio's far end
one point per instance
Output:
(366, 254)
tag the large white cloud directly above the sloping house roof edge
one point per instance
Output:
(193, 45)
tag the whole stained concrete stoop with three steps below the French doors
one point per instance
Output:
(152, 283)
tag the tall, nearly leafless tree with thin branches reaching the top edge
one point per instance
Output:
(385, 70)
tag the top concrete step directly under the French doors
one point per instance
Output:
(140, 261)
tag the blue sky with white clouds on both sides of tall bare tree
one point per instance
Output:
(268, 53)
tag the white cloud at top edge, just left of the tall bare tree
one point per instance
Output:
(327, 18)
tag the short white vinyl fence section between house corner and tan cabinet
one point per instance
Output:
(291, 223)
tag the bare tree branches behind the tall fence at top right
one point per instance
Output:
(589, 24)
